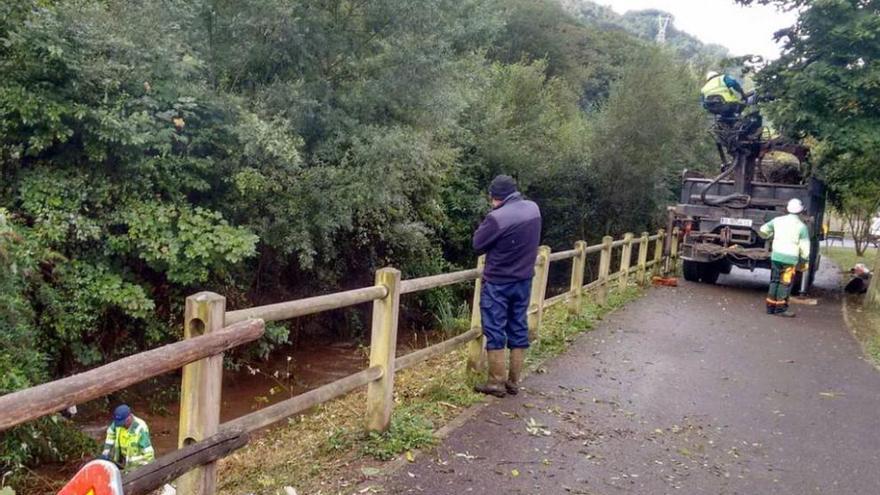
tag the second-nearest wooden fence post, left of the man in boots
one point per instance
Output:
(383, 343)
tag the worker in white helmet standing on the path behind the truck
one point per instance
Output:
(790, 252)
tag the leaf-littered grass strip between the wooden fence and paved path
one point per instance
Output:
(326, 451)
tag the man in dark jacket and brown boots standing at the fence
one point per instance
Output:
(509, 236)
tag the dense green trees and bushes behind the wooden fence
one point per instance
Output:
(267, 150)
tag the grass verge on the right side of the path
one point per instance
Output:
(865, 324)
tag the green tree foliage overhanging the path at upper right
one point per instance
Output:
(826, 87)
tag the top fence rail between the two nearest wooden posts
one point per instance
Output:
(310, 305)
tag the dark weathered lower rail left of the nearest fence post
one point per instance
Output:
(171, 466)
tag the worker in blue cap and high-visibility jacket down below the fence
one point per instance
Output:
(128, 440)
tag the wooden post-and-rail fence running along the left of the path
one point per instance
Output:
(209, 330)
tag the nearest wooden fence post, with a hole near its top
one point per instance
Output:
(200, 390)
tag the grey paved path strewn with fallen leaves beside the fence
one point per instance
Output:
(689, 390)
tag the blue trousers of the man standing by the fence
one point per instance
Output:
(503, 309)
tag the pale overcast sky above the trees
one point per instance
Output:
(743, 30)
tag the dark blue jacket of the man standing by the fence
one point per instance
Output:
(509, 236)
